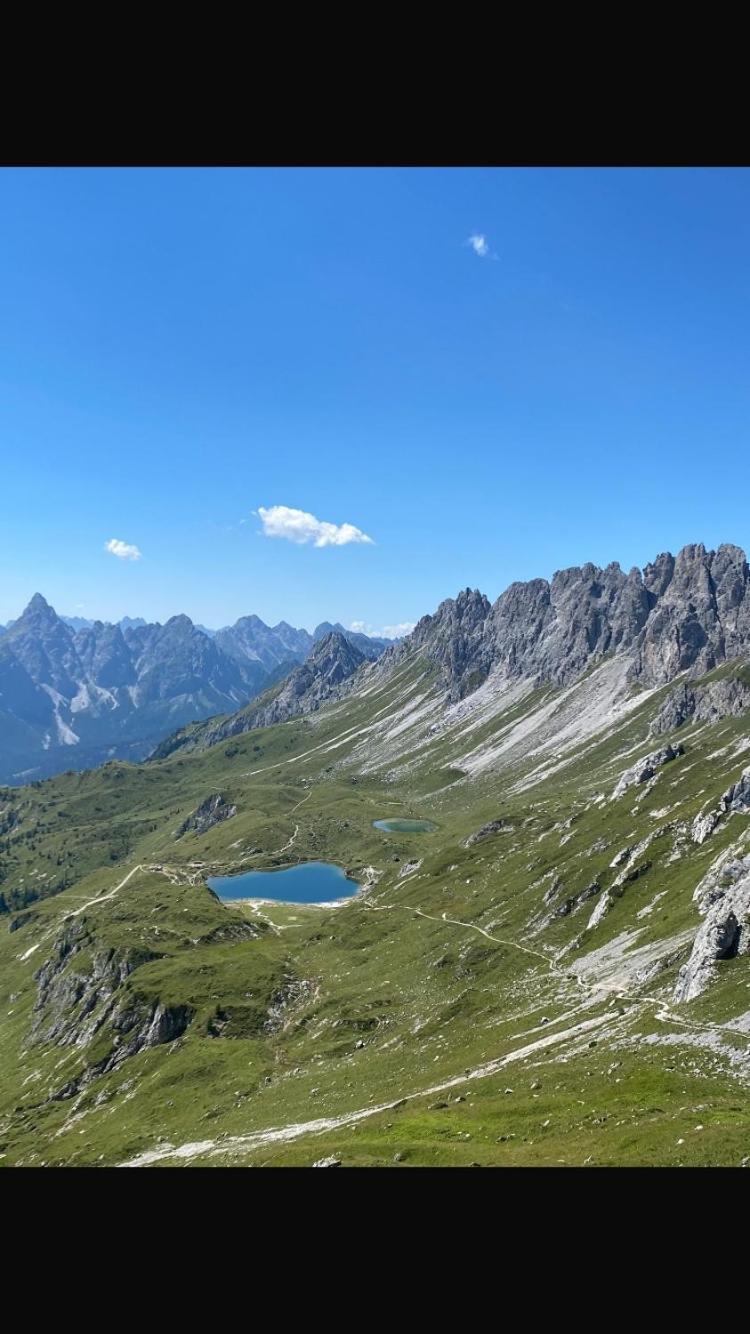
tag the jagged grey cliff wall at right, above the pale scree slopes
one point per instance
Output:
(680, 614)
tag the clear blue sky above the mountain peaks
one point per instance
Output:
(185, 350)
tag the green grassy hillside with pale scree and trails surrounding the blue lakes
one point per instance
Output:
(504, 990)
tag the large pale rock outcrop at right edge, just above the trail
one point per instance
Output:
(724, 898)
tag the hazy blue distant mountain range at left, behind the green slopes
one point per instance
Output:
(75, 694)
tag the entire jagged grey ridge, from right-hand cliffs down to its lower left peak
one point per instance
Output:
(683, 614)
